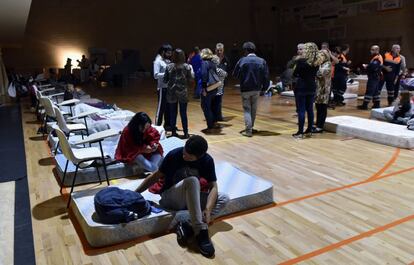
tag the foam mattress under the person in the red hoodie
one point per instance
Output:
(119, 170)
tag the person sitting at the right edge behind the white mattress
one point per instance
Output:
(403, 109)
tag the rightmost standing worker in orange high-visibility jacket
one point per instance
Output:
(391, 71)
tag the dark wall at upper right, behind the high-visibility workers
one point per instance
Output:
(362, 30)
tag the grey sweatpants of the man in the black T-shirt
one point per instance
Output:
(186, 195)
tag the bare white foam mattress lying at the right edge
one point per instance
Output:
(372, 130)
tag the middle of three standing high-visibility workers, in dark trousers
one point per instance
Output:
(374, 74)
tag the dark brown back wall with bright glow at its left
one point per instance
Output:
(58, 27)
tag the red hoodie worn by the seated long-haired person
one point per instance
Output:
(127, 150)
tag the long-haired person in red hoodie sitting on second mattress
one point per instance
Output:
(139, 143)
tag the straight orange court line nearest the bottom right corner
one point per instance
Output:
(347, 241)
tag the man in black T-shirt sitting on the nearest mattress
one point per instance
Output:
(189, 183)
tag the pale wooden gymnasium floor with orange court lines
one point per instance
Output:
(339, 200)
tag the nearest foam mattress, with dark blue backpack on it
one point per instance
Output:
(245, 192)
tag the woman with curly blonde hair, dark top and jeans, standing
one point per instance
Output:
(307, 66)
